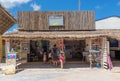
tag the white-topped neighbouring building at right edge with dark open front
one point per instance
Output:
(111, 23)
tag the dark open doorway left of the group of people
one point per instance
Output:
(37, 48)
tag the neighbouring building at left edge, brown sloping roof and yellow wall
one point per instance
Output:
(6, 21)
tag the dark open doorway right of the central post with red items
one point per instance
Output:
(74, 49)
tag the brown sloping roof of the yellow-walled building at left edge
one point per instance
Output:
(6, 20)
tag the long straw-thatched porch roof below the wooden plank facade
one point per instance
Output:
(62, 34)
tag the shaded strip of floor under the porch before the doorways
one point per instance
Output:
(40, 65)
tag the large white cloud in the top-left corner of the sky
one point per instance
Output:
(12, 3)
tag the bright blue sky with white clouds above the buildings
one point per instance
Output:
(102, 8)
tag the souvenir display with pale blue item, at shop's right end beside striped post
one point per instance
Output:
(95, 52)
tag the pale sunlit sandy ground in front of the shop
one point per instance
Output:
(67, 74)
